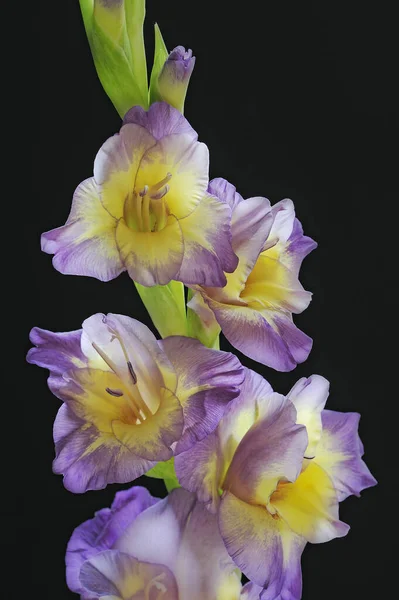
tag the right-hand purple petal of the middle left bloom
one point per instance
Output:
(207, 380)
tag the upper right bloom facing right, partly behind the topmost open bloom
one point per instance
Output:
(254, 309)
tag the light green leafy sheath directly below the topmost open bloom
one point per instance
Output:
(166, 306)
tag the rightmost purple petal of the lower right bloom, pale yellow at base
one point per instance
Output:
(340, 453)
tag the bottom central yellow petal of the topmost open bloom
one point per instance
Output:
(154, 257)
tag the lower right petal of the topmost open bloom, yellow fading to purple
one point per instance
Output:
(207, 244)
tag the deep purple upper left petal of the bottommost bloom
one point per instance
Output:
(101, 532)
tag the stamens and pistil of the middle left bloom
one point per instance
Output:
(130, 390)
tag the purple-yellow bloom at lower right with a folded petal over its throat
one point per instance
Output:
(282, 465)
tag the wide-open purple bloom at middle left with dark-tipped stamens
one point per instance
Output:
(129, 400)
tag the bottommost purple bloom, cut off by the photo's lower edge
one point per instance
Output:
(152, 549)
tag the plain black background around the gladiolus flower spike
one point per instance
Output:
(294, 99)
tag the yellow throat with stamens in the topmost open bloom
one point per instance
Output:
(146, 209)
